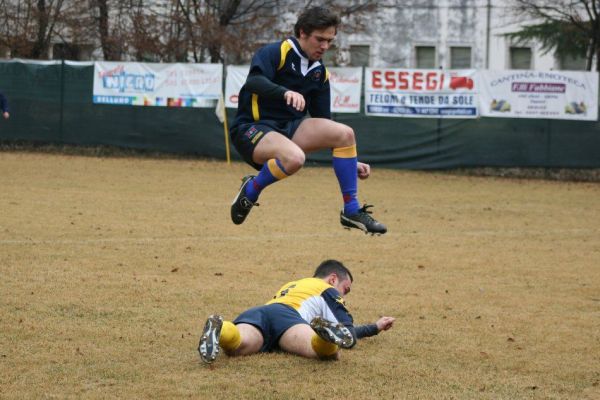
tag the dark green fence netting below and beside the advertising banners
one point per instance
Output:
(52, 103)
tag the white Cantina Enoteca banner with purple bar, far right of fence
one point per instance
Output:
(539, 94)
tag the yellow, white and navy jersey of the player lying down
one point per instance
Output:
(313, 297)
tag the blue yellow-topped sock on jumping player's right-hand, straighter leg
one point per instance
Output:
(344, 165)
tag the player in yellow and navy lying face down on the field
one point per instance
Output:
(306, 317)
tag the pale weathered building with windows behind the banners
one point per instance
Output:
(449, 34)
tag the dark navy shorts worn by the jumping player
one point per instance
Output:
(246, 136)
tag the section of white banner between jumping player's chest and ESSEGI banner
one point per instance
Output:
(345, 86)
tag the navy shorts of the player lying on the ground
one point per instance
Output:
(272, 320)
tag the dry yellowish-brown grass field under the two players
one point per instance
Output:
(109, 267)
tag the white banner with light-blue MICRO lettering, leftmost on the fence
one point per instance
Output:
(150, 84)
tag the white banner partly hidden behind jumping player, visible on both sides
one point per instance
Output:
(345, 86)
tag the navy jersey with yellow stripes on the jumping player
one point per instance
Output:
(285, 64)
